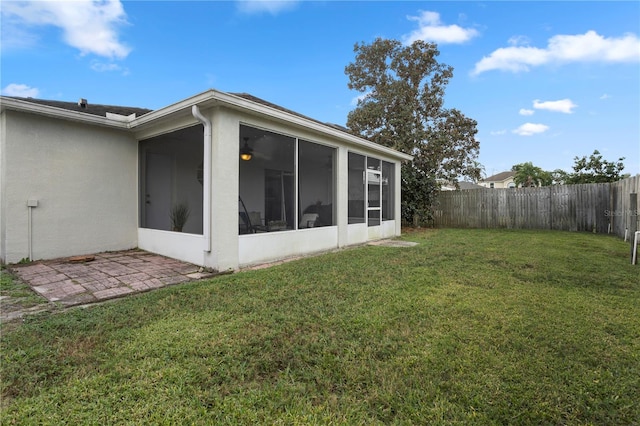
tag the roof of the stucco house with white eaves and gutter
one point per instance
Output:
(145, 119)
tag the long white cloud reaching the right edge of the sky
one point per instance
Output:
(587, 47)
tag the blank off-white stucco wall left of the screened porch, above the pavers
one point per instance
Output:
(85, 179)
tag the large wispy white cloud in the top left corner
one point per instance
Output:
(89, 26)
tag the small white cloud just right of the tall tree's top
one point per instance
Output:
(430, 28)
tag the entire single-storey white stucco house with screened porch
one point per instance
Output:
(254, 182)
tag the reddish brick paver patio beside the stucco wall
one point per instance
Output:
(73, 281)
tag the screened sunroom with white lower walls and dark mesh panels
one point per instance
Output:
(257, 183)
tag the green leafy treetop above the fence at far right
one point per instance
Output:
(593, 169)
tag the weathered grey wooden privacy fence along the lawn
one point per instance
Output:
(599, 207)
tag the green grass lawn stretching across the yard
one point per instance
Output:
(468, 327)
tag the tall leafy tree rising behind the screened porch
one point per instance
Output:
(402, 107)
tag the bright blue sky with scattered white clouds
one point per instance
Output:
(546, 81)
